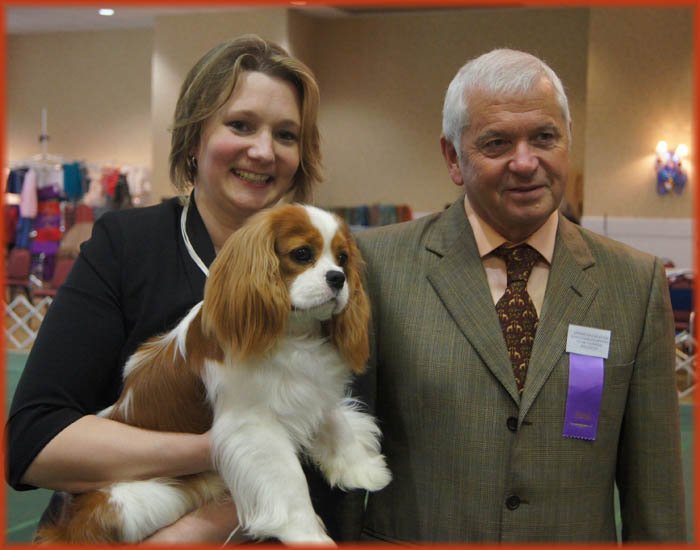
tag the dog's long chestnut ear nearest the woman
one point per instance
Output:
(246, 303)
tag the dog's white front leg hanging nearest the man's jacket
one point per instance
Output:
(347, 449)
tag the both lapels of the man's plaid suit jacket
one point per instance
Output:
(460, 282)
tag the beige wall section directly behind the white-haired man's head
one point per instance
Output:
(383, 81)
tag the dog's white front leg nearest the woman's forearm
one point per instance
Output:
(258, 461)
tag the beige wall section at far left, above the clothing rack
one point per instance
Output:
(96, 87)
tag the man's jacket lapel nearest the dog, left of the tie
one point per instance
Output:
(460, 282)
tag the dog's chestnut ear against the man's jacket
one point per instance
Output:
(349, 330)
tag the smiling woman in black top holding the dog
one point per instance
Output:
(244, 137)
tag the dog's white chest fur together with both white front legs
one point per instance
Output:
(268, 411)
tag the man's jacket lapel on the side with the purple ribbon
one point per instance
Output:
(570, 292)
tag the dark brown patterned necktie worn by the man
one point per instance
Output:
(516, 312)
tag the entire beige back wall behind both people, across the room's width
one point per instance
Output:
(111, 95)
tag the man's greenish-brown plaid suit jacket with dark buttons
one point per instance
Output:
(474, 461)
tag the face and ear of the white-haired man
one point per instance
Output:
(514, 159)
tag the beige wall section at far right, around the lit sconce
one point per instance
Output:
(639, 92)
